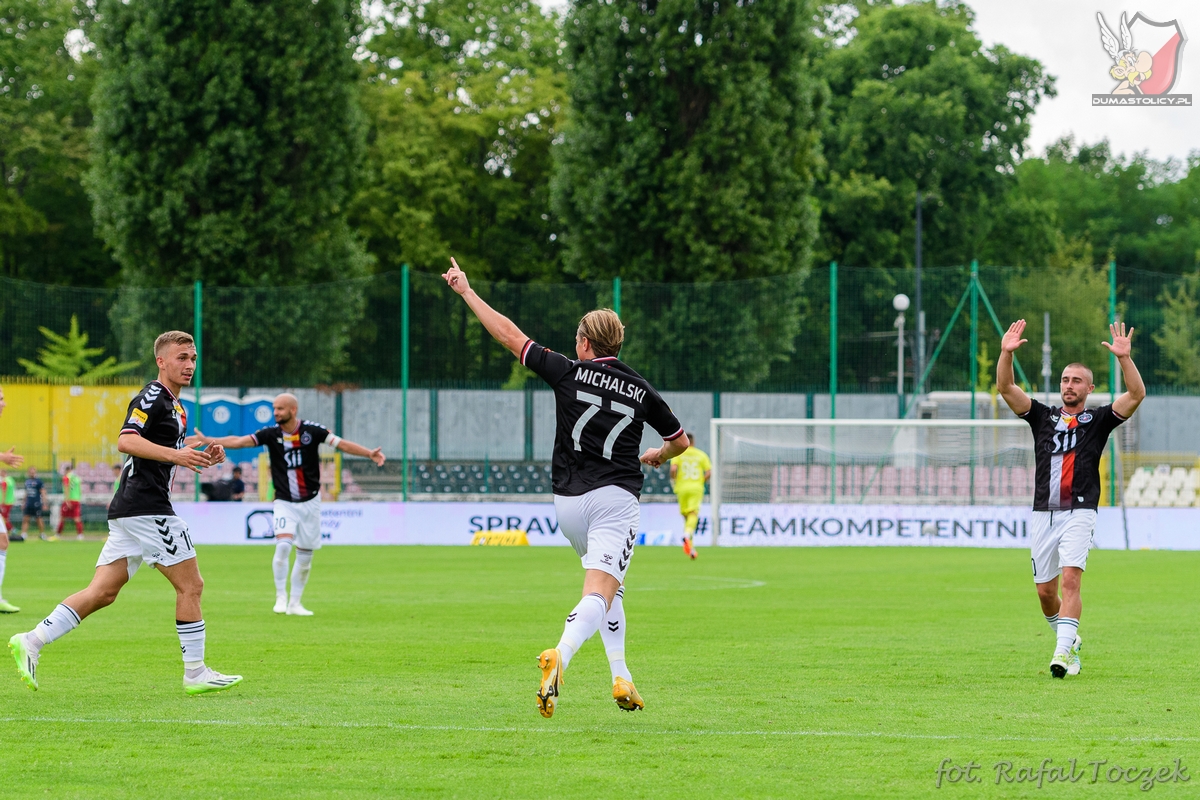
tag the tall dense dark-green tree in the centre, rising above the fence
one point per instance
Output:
(692, 141)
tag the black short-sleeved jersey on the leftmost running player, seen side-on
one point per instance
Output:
(145, 489)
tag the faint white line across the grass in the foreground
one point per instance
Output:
(455, 729)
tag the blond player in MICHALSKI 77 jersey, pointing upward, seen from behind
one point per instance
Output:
(602, 407)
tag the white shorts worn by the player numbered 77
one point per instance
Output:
(602, 526)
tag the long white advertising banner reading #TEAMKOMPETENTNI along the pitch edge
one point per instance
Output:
(742, 525)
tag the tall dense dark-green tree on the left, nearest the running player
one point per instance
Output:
(227, 142)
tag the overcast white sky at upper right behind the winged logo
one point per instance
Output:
(1065, 37)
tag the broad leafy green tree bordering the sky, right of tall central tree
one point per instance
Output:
(919, 104)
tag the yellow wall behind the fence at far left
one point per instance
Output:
(52, 424)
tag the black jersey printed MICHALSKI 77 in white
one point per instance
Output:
(602, 407)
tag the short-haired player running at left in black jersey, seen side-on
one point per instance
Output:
(142, 524)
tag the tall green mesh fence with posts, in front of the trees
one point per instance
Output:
(827, 329)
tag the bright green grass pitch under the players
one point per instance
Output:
(789, 673)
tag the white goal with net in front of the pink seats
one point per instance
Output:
(861, 462)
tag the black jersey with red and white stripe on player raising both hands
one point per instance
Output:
(1067, 455)
